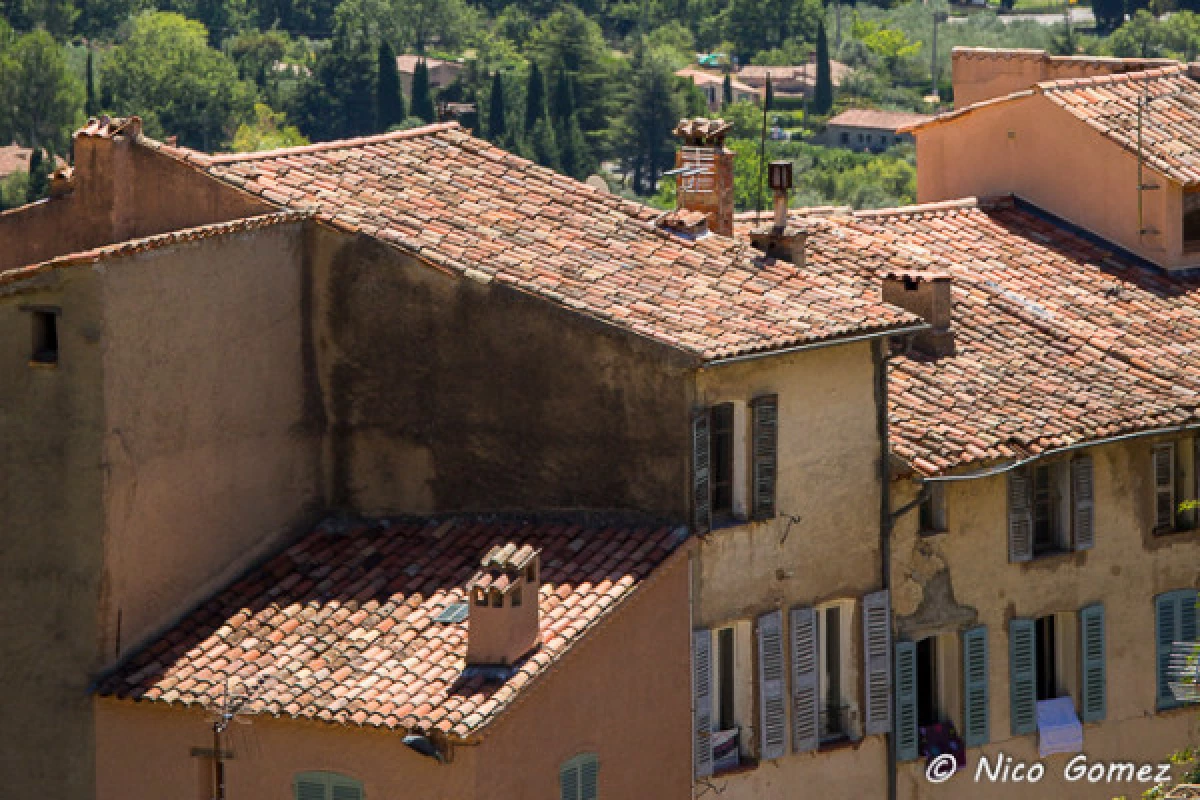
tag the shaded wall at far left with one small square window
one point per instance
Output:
(52, 525)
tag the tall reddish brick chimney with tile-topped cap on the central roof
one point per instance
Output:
(706, 172)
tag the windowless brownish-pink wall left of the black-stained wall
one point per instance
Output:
(213, 422)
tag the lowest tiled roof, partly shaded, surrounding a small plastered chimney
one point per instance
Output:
(341, 627)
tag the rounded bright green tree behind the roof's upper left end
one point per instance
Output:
(167, 73)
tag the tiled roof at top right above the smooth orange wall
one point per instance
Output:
(1171, 122)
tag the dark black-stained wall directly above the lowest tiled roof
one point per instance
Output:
(446, 394)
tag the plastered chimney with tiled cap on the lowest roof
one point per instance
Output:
(503, 596)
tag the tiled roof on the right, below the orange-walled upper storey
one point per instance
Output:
(1059, 340)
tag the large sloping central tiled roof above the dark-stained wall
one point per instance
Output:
(467, 207)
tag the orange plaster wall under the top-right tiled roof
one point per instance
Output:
(1045, 155)
